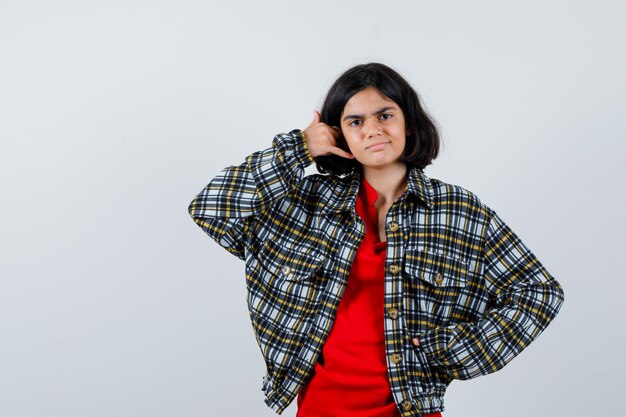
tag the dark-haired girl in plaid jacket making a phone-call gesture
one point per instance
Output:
(370, 285)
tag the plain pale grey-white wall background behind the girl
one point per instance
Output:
(113, 115)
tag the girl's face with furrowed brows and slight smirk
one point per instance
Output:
(374, 129)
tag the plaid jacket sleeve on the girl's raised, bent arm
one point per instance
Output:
(238, 193)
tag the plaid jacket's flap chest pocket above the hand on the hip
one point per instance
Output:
(437, 286)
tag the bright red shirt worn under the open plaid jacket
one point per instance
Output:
(350, 379)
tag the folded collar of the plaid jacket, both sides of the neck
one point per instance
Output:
(343, 191)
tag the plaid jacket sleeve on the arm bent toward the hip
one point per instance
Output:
(526, 296)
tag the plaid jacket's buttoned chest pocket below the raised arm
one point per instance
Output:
(283, 284)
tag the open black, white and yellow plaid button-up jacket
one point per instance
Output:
(456, 275)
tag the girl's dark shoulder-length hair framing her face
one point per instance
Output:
(423, 141)
